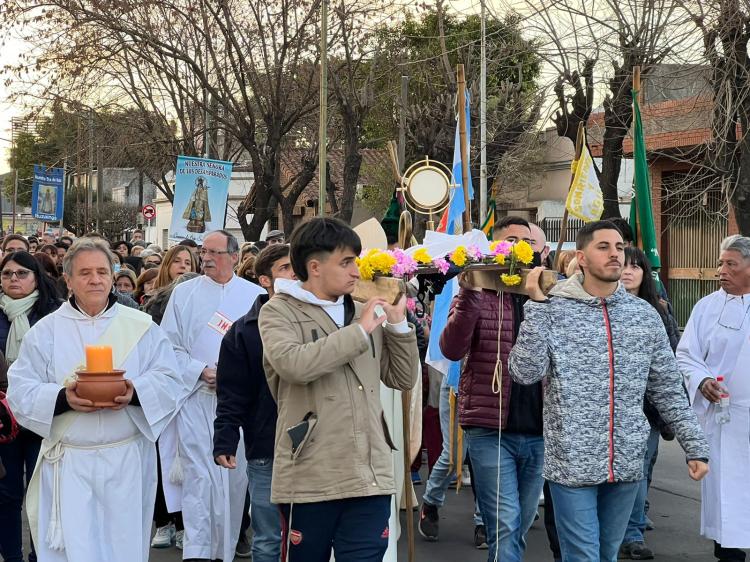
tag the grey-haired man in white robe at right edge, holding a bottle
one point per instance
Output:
(717, 343)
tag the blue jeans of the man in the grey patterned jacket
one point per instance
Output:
(591, 520)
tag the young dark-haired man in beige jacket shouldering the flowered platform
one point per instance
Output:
(325, 357)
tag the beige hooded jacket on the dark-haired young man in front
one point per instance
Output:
(313, 366)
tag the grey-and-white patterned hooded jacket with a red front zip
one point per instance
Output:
(601, 356)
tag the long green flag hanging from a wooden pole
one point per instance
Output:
(642, 180)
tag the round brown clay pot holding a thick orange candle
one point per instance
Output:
(100, 382)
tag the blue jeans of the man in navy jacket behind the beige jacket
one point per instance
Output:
(265, 517)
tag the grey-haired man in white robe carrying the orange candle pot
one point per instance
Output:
(92, 494)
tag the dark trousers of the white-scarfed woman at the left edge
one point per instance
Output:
(19, 458)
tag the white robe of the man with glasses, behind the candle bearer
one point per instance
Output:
(211, 498)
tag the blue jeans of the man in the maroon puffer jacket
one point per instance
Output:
(516, 462)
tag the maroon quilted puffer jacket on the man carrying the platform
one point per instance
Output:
(471, 332)
